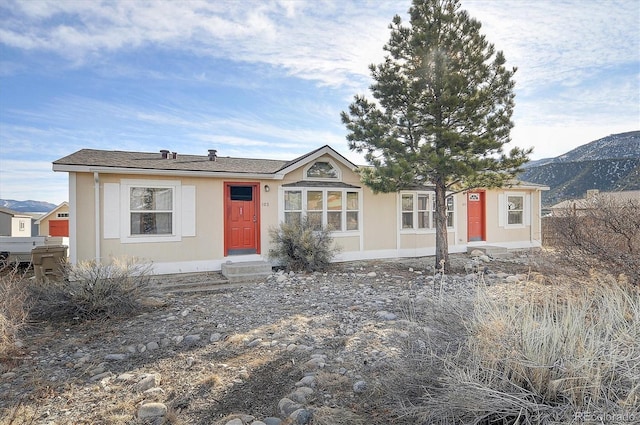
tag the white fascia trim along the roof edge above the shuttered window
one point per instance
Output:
(155, 172)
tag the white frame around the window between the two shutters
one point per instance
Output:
(125, 219)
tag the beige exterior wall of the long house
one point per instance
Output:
(380, 232)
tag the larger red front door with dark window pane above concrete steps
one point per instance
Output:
(242, 218)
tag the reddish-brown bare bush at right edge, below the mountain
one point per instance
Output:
(605, 234)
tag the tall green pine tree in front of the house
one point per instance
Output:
(441, 114)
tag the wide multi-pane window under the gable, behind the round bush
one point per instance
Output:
(336, 209)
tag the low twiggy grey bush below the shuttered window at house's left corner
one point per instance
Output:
(93, 290)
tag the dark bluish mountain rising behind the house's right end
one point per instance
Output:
(608, 164)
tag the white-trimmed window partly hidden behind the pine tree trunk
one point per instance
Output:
(418, 210)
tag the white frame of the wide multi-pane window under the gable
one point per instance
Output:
(325, 210)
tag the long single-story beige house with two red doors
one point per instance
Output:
(189, 213)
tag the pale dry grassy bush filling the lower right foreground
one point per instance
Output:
(546, 361)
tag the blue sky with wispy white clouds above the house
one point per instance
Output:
(268, 78)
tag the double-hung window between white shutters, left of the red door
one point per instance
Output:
(151, 210)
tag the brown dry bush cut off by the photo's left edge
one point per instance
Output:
(13, 307)
